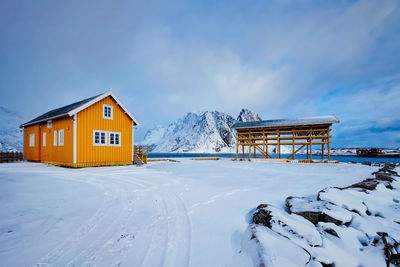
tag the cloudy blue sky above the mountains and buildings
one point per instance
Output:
(162, 59)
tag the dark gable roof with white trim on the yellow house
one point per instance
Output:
(74, 108)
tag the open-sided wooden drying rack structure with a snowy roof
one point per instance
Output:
(298, 133)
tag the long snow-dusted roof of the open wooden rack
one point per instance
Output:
(286, 122)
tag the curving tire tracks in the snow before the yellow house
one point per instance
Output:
(170, 232)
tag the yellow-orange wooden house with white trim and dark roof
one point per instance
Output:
(93, 132)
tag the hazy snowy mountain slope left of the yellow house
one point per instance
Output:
(10, 135)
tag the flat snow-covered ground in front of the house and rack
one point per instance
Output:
(164, 214)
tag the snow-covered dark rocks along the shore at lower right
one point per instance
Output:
(357, 225)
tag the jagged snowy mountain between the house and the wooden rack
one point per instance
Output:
(198, 132)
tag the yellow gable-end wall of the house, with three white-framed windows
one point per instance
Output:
(91, 119)
